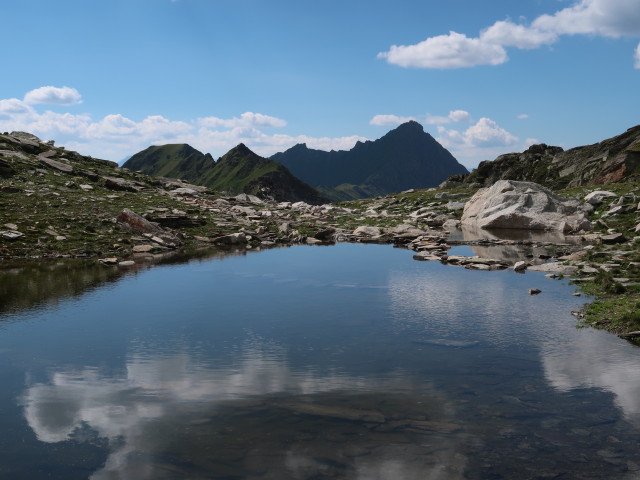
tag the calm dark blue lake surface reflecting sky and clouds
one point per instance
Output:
(351, 362)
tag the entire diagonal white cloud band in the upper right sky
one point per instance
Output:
(609, 18)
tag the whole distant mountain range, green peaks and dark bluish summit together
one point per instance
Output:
(406, 157)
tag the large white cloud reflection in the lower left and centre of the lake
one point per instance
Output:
(162, 397)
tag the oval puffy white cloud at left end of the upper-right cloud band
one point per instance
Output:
(446, 51)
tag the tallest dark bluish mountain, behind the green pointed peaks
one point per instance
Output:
(406, 157)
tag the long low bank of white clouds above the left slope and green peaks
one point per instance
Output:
(116, 136)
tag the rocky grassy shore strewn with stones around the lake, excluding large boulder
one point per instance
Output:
(60, 204)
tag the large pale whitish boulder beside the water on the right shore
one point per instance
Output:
(524, 205)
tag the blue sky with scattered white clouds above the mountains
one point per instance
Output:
(110, 78)
